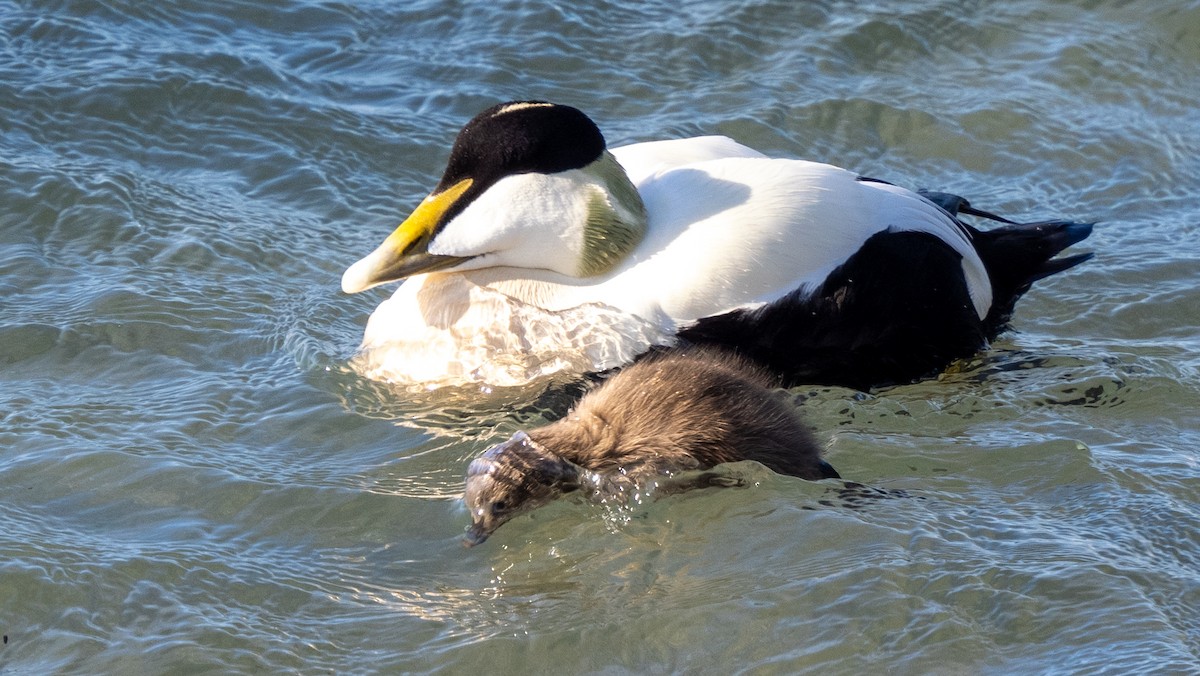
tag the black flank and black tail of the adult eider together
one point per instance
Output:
(899, 309)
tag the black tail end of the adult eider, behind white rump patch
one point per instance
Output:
(1016, 255)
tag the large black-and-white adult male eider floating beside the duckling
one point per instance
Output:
(542, 250)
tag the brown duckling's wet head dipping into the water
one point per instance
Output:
(513, 478)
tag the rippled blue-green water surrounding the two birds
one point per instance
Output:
(194, 478)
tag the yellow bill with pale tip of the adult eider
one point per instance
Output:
(406, 250)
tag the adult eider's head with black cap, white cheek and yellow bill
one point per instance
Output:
(529, 186)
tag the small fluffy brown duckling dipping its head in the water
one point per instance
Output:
(673, 412)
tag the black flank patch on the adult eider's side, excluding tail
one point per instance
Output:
(898, 310)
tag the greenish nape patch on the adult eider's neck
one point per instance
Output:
(616, 222)
